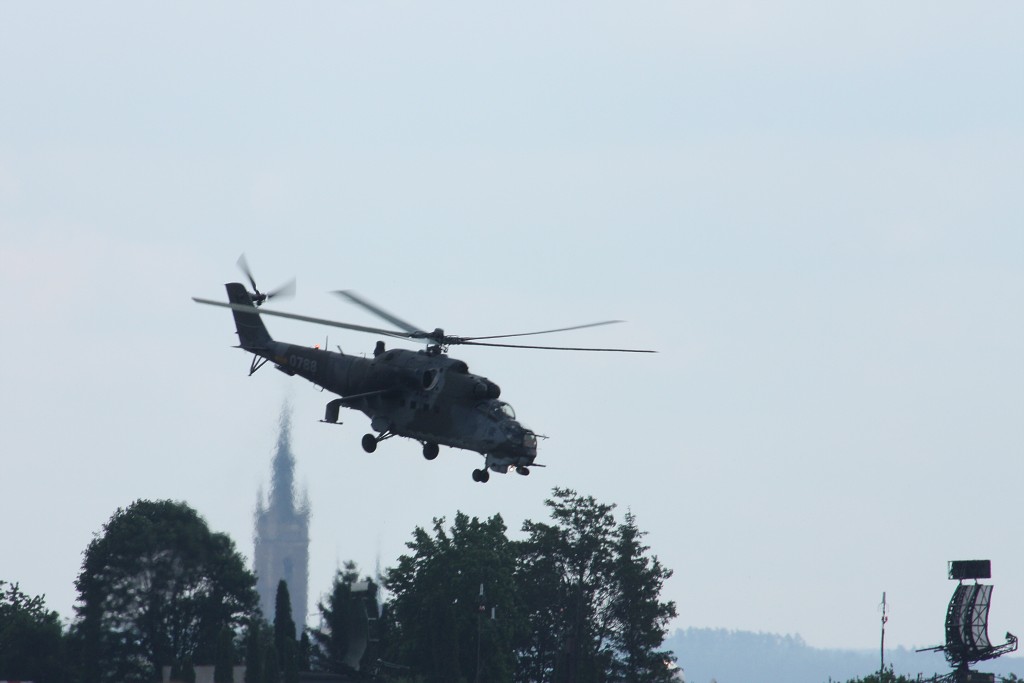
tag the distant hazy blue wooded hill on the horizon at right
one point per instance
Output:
(742, 657)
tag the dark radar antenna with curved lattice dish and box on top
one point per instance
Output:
(967, 624)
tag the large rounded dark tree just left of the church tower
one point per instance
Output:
(156, 588)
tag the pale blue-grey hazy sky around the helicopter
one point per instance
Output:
(815, 211)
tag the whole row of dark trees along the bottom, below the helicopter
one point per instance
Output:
(576, 600)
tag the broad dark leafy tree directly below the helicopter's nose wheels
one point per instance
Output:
(437, 623)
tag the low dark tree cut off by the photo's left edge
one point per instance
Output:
(32, 645)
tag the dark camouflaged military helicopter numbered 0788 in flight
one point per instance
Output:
(423, 396)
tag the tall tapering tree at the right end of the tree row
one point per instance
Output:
(641, 618)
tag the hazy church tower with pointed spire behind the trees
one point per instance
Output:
(282, 535)
